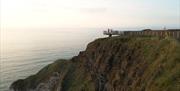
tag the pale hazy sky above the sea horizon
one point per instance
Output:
(89, 13)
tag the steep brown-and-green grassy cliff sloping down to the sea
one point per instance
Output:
(113, 64)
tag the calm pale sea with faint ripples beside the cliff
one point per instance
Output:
(24, 52)
